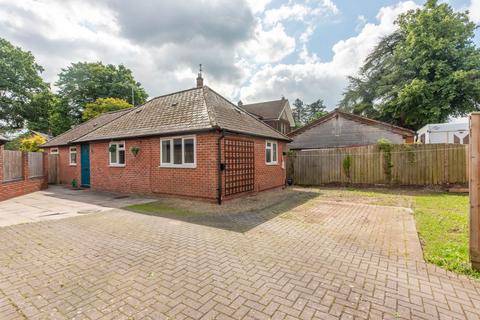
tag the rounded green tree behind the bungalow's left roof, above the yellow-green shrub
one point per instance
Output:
(85, 82)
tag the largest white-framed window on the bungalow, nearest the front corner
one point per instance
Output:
(178, 152)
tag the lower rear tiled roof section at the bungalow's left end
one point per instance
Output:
(84, 128)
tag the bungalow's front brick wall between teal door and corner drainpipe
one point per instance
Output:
(143, 174)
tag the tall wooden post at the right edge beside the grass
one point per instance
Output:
(474, 187)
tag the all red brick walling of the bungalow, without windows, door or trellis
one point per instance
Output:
(142, 174)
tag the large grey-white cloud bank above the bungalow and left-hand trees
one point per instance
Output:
(159, 51)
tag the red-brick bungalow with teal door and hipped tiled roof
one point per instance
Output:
(192, 143)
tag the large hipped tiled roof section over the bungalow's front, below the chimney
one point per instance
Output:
(196, 109)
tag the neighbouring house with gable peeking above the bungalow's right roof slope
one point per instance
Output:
(275, 113)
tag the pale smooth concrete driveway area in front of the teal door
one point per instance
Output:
(58, 202)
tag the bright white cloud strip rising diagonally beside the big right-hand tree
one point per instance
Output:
(312, 79)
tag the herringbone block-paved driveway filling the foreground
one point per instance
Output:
(322, 260)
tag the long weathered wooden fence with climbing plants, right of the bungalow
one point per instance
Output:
(432, 164)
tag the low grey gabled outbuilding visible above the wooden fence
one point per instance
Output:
(343, 129)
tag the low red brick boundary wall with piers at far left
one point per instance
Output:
(26, 185)
